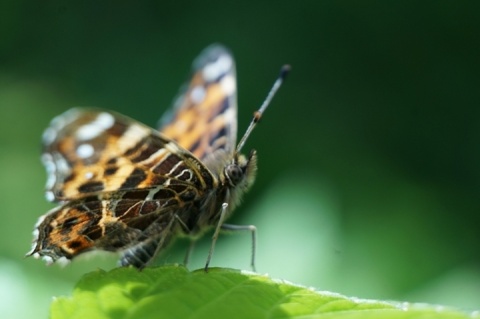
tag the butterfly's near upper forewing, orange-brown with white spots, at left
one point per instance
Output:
(89, 152)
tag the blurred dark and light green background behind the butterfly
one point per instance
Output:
(369, 157)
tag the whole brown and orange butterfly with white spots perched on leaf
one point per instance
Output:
(125, 187)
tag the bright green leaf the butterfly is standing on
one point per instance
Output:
(175, 292)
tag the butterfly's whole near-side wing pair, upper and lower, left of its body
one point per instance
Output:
(123, 187)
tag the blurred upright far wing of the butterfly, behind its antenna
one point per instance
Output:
(204, 116)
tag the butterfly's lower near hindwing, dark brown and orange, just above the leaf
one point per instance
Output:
(137, 227)
